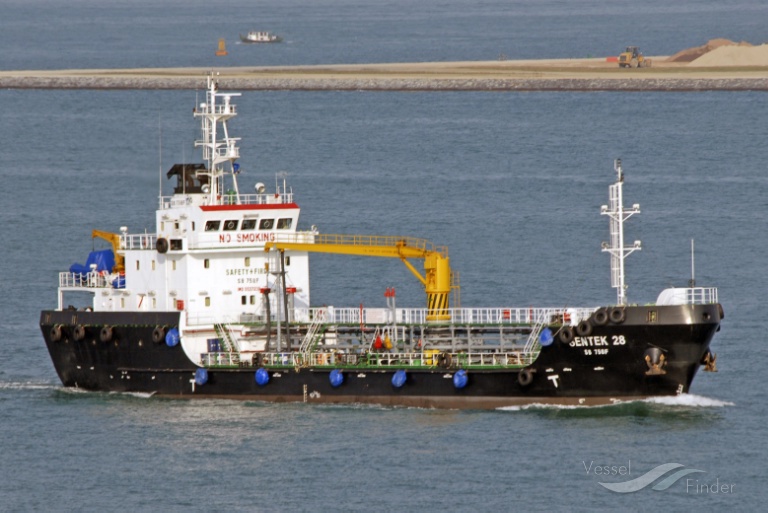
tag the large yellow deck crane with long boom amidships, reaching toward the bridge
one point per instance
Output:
(438, 279)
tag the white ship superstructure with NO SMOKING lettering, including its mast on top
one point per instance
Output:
(207, 255)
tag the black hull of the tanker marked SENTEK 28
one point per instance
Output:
(610, 364)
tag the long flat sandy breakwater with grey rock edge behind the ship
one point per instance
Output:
(480, 76)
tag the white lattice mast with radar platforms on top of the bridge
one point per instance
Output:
(218, 151)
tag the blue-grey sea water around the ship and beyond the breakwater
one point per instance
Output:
(512, 183)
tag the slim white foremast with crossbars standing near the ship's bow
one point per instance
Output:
(618, 214)
